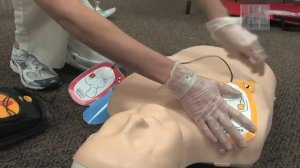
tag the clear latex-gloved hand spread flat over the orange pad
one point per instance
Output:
(203, 101)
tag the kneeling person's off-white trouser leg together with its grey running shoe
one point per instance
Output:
(41, 44)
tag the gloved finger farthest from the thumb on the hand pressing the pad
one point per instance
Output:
(218, 132)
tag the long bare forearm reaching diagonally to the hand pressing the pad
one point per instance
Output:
(104, 37)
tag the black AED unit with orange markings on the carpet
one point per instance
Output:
(22, 116)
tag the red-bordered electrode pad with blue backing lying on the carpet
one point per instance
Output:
(94, 88)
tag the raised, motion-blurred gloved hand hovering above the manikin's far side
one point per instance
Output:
(228, 32)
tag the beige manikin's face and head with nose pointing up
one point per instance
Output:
(144, 137)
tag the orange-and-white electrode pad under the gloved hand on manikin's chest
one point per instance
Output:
(246, 105)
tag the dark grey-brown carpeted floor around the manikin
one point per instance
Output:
(162, 25)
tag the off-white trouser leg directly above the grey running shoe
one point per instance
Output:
(39, 35)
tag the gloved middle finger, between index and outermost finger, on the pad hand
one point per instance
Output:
(231, 130)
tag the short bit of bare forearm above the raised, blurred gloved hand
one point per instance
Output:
(213, 8)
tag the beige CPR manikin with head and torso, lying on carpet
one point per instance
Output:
(149, 129)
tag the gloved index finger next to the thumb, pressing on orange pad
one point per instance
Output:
(241, 119)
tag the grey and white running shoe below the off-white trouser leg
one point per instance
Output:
(33, 73)
